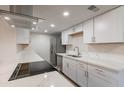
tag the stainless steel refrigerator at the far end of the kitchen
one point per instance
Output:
(56, 47)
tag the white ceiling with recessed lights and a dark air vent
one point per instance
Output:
(54, 14)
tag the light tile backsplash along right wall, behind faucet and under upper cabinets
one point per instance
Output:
(113, 52)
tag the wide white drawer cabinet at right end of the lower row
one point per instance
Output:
(100, 77)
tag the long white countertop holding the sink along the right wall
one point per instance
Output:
(111, 65)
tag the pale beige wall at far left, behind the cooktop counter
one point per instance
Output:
(7, 43)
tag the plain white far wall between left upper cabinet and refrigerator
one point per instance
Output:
(41, 44)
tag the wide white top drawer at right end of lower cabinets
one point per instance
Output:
(102, 73)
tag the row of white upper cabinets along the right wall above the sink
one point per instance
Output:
(105, 28)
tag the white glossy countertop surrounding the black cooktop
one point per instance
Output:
(50, 79)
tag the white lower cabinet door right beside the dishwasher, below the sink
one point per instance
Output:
(65, 66)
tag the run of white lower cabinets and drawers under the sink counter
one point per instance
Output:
(86, 75)
